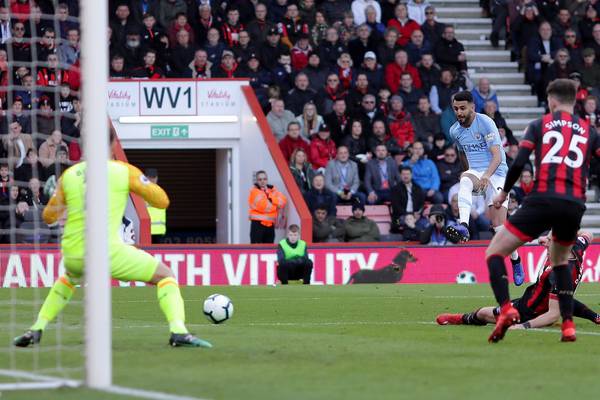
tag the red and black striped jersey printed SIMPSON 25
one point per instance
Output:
(564, 145)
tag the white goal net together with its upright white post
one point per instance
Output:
(47, 89)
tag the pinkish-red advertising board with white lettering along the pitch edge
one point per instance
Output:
(241, 265)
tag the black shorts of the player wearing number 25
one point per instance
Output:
(540, 214)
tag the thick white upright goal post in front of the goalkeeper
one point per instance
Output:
(94, 63)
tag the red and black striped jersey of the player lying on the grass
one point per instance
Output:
(538, 295)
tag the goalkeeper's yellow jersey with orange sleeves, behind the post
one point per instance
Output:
(69, 196)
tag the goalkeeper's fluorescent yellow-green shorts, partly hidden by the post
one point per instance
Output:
(127, 263)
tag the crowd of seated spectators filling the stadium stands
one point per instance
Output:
(358, 93)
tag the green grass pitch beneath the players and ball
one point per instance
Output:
(344, 342)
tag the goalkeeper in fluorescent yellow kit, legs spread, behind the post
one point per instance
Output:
(127, 263)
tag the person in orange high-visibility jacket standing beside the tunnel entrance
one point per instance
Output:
(264, 201)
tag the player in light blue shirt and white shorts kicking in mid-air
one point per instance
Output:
(484, 162)
